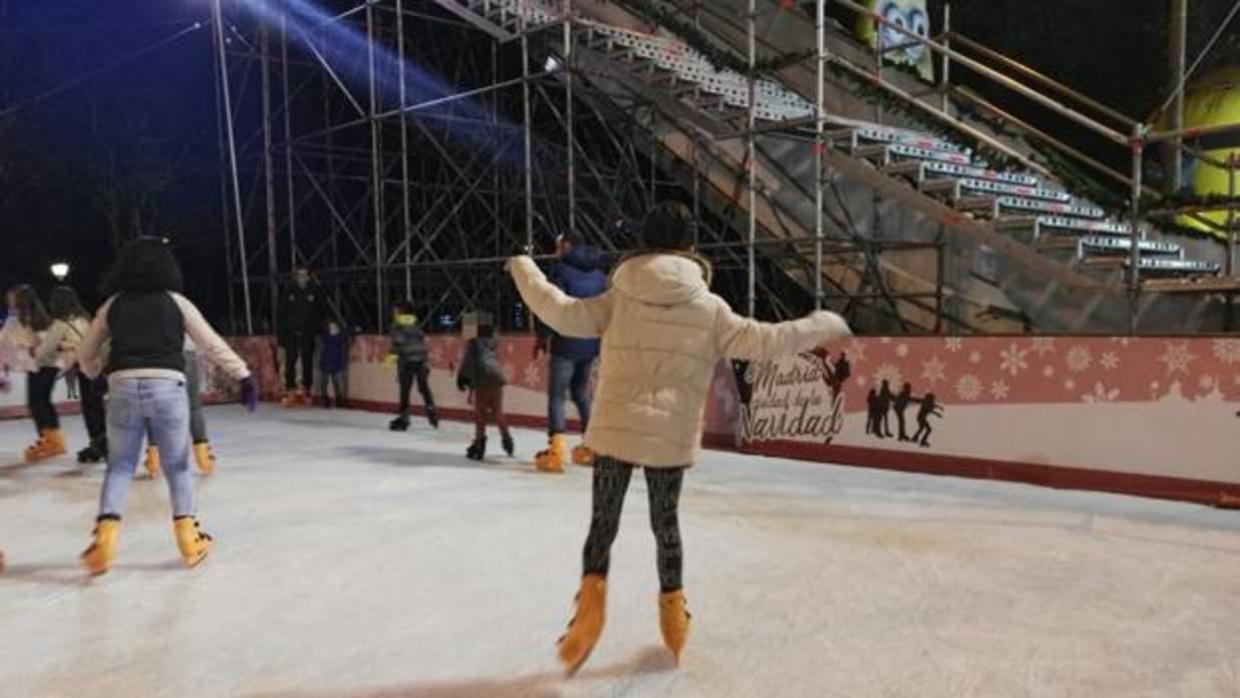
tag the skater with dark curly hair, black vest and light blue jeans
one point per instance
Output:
(147, 319)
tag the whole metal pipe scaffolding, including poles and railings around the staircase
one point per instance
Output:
(400, 153)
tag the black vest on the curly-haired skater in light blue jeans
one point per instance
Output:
(148, 332)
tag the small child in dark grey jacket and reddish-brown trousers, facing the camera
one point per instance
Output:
(482, 373)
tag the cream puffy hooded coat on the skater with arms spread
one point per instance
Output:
(664, 333)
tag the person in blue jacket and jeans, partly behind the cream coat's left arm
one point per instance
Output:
(580, 273)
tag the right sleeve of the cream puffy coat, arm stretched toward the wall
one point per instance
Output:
(742, 338)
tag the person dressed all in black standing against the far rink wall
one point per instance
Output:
(301, 323)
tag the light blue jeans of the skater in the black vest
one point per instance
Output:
(137, 406)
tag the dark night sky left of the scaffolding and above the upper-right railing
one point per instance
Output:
(142, 137)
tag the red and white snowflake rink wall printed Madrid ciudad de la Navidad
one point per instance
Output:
(1154, 416)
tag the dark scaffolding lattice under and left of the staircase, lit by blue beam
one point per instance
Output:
(414, 168)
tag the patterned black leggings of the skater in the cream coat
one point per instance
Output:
(611, 485)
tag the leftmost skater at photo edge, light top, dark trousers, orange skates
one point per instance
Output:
(24, 333)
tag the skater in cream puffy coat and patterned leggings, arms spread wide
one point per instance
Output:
(663, 333)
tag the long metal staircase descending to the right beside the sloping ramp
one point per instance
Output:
(1017, 242)
